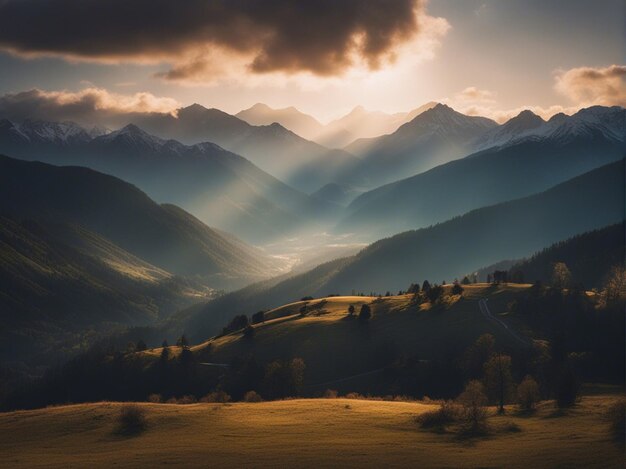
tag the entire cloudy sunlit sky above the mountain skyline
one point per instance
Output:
(487, 57)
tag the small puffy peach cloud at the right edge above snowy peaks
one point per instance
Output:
(586, 86)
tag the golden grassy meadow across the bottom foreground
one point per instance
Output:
(303, 433)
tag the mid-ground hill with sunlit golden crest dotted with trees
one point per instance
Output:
(335, 346)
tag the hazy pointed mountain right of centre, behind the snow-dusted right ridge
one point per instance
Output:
(434, 137)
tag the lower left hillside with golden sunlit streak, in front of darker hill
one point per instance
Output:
(62, 285)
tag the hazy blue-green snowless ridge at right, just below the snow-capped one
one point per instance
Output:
(505, 231)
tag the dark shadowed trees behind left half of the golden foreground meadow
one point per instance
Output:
(105, 373)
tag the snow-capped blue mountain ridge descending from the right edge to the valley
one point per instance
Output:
(526, 166)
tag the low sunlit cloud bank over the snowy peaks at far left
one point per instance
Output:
(89, 106)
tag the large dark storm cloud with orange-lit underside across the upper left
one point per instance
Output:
(321, 36)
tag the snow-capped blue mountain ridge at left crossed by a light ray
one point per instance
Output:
(220, 187)
